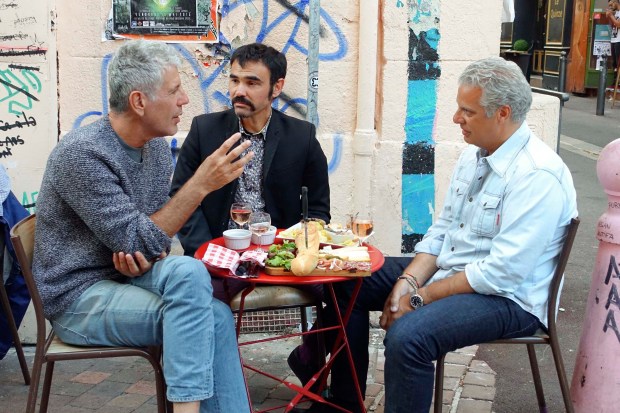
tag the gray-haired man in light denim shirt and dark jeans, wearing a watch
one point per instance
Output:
(483, 269)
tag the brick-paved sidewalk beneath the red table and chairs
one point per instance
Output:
(127, 385)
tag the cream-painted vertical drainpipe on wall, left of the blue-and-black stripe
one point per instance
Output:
(365, 134)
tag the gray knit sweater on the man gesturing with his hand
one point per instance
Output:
(96, 200)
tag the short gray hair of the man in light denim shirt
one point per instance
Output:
(502, 83)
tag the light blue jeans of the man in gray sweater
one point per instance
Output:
(171, 304)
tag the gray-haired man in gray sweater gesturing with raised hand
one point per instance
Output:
(104, 227)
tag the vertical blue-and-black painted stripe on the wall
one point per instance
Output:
(418, 184)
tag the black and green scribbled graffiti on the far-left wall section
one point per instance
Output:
(23, 62)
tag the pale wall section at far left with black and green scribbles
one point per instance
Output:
(28, 101)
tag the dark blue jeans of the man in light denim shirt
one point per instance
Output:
(419, 337)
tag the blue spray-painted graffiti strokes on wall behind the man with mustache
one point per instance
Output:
(284, 102)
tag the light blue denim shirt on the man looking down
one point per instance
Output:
(504, 220)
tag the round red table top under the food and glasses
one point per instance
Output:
(376, 262)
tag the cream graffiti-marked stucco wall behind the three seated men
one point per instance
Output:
(422, 47)
